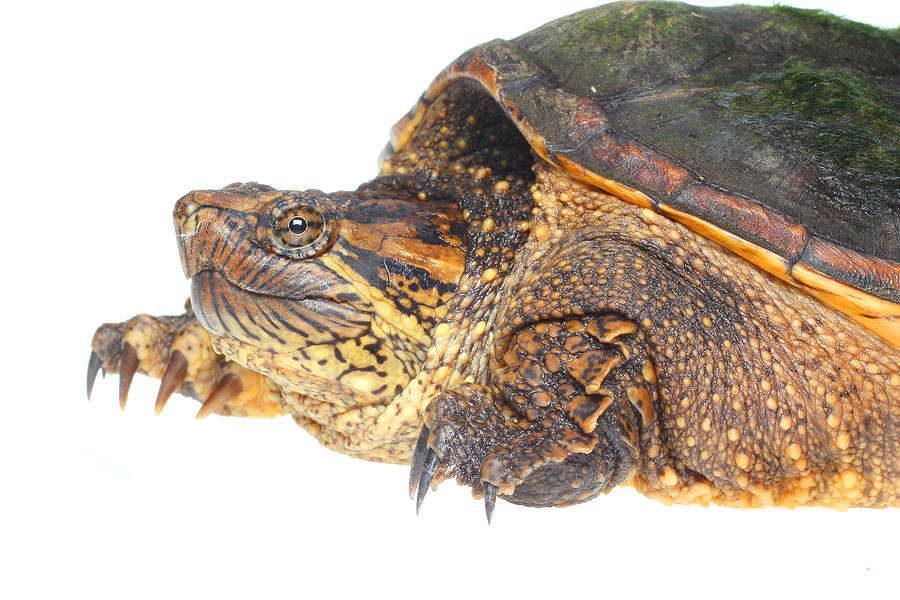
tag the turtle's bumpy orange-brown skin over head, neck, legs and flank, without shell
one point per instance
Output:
(554, 340)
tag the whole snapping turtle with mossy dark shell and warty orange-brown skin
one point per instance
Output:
(648, 243)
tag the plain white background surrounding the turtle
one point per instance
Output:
(111, 111)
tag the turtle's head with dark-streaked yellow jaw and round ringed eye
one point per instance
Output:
(331, 295)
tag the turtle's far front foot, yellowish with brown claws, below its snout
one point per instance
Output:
(178, 351)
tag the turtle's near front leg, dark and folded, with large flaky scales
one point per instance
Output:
(562, 426)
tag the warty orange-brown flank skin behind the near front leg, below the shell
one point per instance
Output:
(766, 396)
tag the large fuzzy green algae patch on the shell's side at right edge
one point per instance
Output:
(838, 114)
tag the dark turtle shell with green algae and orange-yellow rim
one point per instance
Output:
(773, 131)
